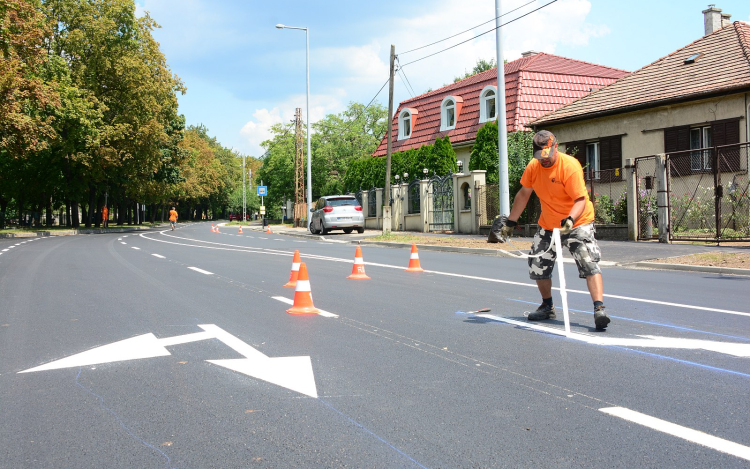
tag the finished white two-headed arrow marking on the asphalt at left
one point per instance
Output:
(293, 373)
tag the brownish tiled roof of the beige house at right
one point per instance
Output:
(723, 65)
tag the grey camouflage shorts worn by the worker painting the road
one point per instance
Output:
(582, 246)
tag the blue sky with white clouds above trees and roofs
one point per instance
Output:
(244, 75)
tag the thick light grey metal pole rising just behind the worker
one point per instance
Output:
(502, 131)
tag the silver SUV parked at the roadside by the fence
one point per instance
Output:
(337, 212)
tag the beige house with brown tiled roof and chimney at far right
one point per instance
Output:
(696, 97)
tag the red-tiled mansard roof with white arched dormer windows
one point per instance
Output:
(535, 85)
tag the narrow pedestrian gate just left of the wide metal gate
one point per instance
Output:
(647, 219)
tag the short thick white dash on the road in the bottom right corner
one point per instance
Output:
(694, 436)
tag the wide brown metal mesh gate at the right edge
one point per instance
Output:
(708, 194)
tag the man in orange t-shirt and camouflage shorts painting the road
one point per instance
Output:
(557, 179)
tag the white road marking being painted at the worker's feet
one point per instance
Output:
(728, 348)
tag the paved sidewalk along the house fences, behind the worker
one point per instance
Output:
(622, 253)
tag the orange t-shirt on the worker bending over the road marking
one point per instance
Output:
(558, 187)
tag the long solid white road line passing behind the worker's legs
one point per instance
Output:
(449, 274)
